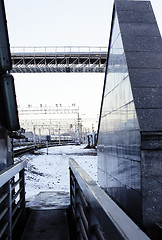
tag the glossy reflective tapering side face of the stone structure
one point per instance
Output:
(119, 135)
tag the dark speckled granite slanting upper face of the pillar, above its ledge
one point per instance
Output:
(143, 50)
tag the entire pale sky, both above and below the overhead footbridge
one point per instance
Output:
(62, 23)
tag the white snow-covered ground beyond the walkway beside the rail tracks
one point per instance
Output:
(51, 172)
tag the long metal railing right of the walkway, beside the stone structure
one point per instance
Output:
(95, 215)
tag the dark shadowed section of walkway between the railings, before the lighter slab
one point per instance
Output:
(47, 224)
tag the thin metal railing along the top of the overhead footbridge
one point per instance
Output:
(58, 49)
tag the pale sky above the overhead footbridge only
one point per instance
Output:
(62, 22)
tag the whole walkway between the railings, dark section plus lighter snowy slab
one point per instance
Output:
(48, 218)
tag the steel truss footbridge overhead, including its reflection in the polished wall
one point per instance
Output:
(63, 59)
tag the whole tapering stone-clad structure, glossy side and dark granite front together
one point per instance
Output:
(130, 127)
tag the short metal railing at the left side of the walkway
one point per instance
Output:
(12, 199)
